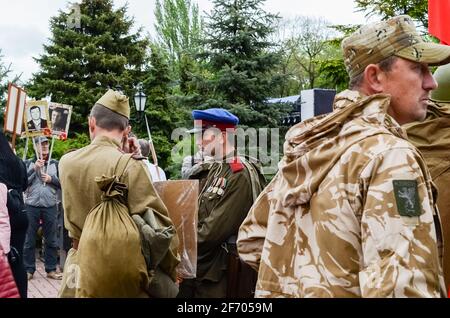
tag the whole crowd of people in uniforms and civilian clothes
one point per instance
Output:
(353, 211)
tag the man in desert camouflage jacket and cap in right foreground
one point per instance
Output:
(351, 212)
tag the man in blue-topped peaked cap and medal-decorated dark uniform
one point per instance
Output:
(229, 189)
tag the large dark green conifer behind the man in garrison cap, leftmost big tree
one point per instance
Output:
(83, 60)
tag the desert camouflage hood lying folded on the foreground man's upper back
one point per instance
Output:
(314, 146)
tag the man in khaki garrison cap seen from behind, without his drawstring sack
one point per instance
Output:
(108, 129)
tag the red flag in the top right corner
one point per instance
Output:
(439, 19)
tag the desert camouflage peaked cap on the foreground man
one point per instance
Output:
(397, 36)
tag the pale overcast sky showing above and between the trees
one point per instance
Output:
(24, 26)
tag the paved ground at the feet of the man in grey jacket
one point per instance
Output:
(40, 286)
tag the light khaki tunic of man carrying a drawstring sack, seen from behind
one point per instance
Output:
(81, 193)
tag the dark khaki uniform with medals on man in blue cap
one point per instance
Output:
(224, 202)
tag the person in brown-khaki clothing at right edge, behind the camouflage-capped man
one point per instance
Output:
(432, 138)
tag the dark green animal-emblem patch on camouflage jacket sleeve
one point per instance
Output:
(407, 197)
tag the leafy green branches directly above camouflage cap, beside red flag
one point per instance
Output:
(416, 9)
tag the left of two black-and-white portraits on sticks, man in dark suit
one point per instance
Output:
(36, 118)
